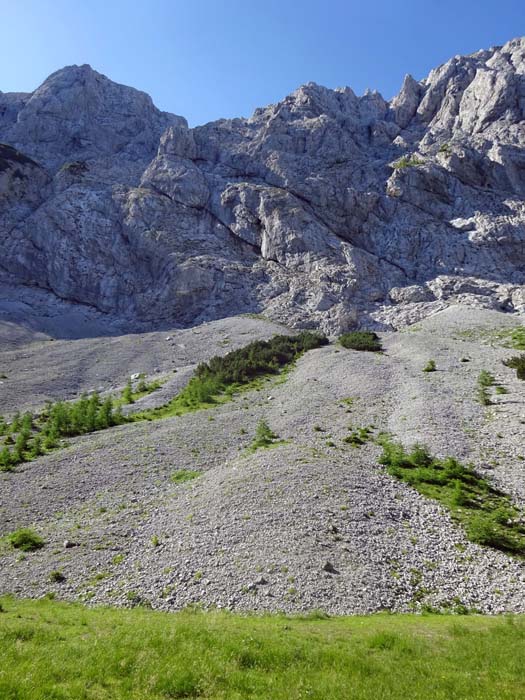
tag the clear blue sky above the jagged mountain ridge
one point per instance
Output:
(207, 59)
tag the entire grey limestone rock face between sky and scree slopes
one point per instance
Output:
(324, 210)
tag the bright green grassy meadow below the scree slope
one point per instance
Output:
(57, 651)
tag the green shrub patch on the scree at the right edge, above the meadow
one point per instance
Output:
(488, 516)
